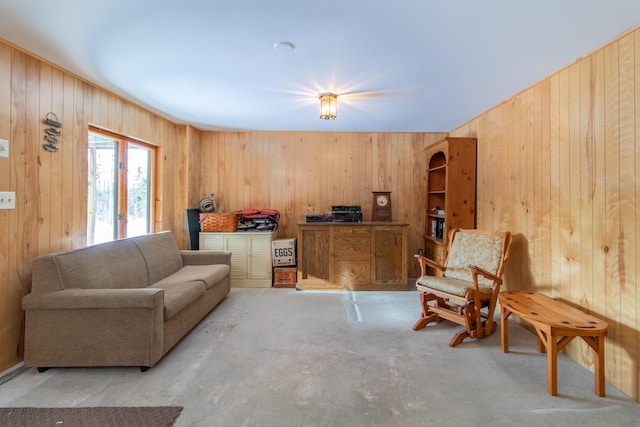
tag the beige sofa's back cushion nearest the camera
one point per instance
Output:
(112, 265)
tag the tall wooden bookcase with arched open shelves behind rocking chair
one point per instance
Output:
(451, 192)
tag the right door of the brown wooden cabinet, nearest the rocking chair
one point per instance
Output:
(390, 257)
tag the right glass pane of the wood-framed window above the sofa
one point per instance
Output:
(138, 200)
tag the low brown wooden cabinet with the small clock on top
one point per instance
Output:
(357, 256)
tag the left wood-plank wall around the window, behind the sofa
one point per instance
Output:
(50, 188)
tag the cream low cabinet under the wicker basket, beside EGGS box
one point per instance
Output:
(250, 256)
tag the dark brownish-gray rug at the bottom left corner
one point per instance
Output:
(152, 416)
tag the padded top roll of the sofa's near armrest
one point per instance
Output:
(76, 298)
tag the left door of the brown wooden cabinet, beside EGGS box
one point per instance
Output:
(314, 255)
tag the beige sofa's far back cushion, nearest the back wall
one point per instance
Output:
(161, 254)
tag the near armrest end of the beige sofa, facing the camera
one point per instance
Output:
(94, 327)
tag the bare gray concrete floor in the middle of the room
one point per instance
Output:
(280, 357)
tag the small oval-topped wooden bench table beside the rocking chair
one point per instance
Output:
(551, 319)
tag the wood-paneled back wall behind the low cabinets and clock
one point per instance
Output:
(300, 173)
